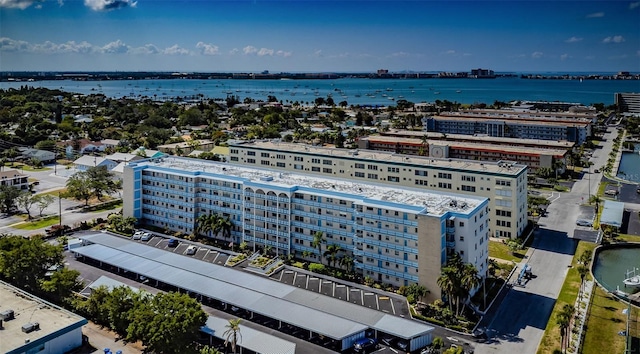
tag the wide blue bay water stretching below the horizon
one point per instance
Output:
(358, 91)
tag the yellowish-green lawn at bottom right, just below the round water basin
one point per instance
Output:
(603, 324)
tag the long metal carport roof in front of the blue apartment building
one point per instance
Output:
(326, 316)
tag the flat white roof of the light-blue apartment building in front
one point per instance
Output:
(436, 203)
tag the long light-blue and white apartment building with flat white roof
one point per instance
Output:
(396, 236)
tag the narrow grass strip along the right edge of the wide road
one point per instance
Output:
(568, 295)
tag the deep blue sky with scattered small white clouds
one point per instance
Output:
(304, 36)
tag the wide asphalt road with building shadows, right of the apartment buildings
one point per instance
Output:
(518, 323)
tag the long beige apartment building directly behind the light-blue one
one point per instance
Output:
(504, 183)
